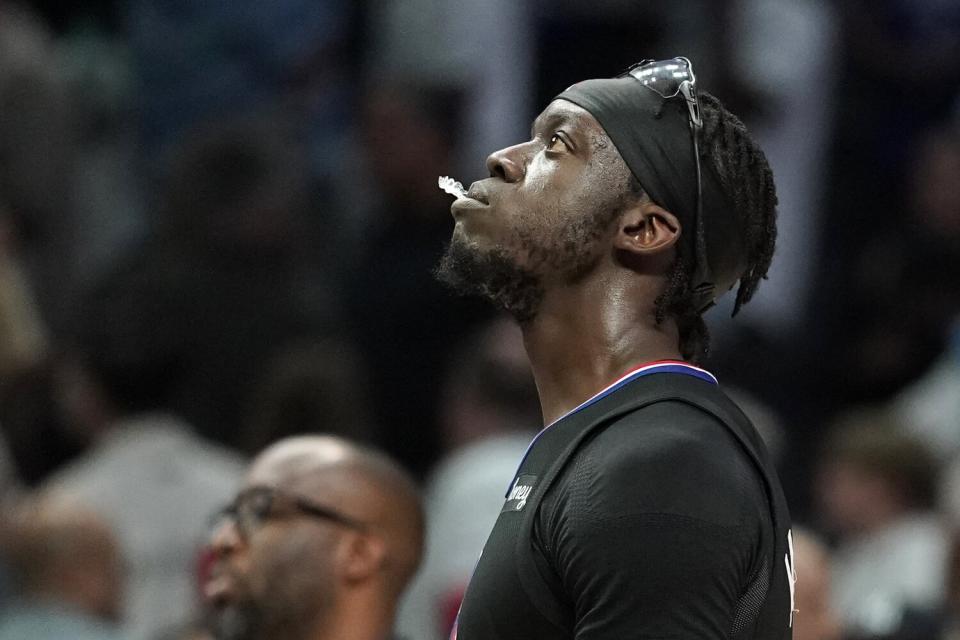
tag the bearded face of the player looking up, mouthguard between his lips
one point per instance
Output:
(541, 218)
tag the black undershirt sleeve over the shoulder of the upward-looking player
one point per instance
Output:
(662, 504)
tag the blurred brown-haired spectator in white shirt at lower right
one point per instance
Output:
(877, 490)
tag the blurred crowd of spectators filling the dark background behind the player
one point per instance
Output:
(218, 225)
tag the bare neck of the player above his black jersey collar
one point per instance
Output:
(586, 335)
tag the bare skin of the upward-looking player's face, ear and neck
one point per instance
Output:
(595, 309)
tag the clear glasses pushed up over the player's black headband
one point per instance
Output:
(669, 79)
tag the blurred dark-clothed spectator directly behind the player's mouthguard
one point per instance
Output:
(403, 319)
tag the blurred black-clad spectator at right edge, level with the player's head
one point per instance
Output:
(912, 264)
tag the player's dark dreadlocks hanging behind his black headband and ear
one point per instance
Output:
(746, 179)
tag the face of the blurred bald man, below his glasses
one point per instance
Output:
(273, 579)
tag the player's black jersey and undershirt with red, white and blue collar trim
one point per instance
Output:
(652, 513)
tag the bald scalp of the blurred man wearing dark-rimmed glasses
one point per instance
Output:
(356, 481)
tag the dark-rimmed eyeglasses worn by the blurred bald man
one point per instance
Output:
(255, 505)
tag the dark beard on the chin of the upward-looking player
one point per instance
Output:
(491, 275)
